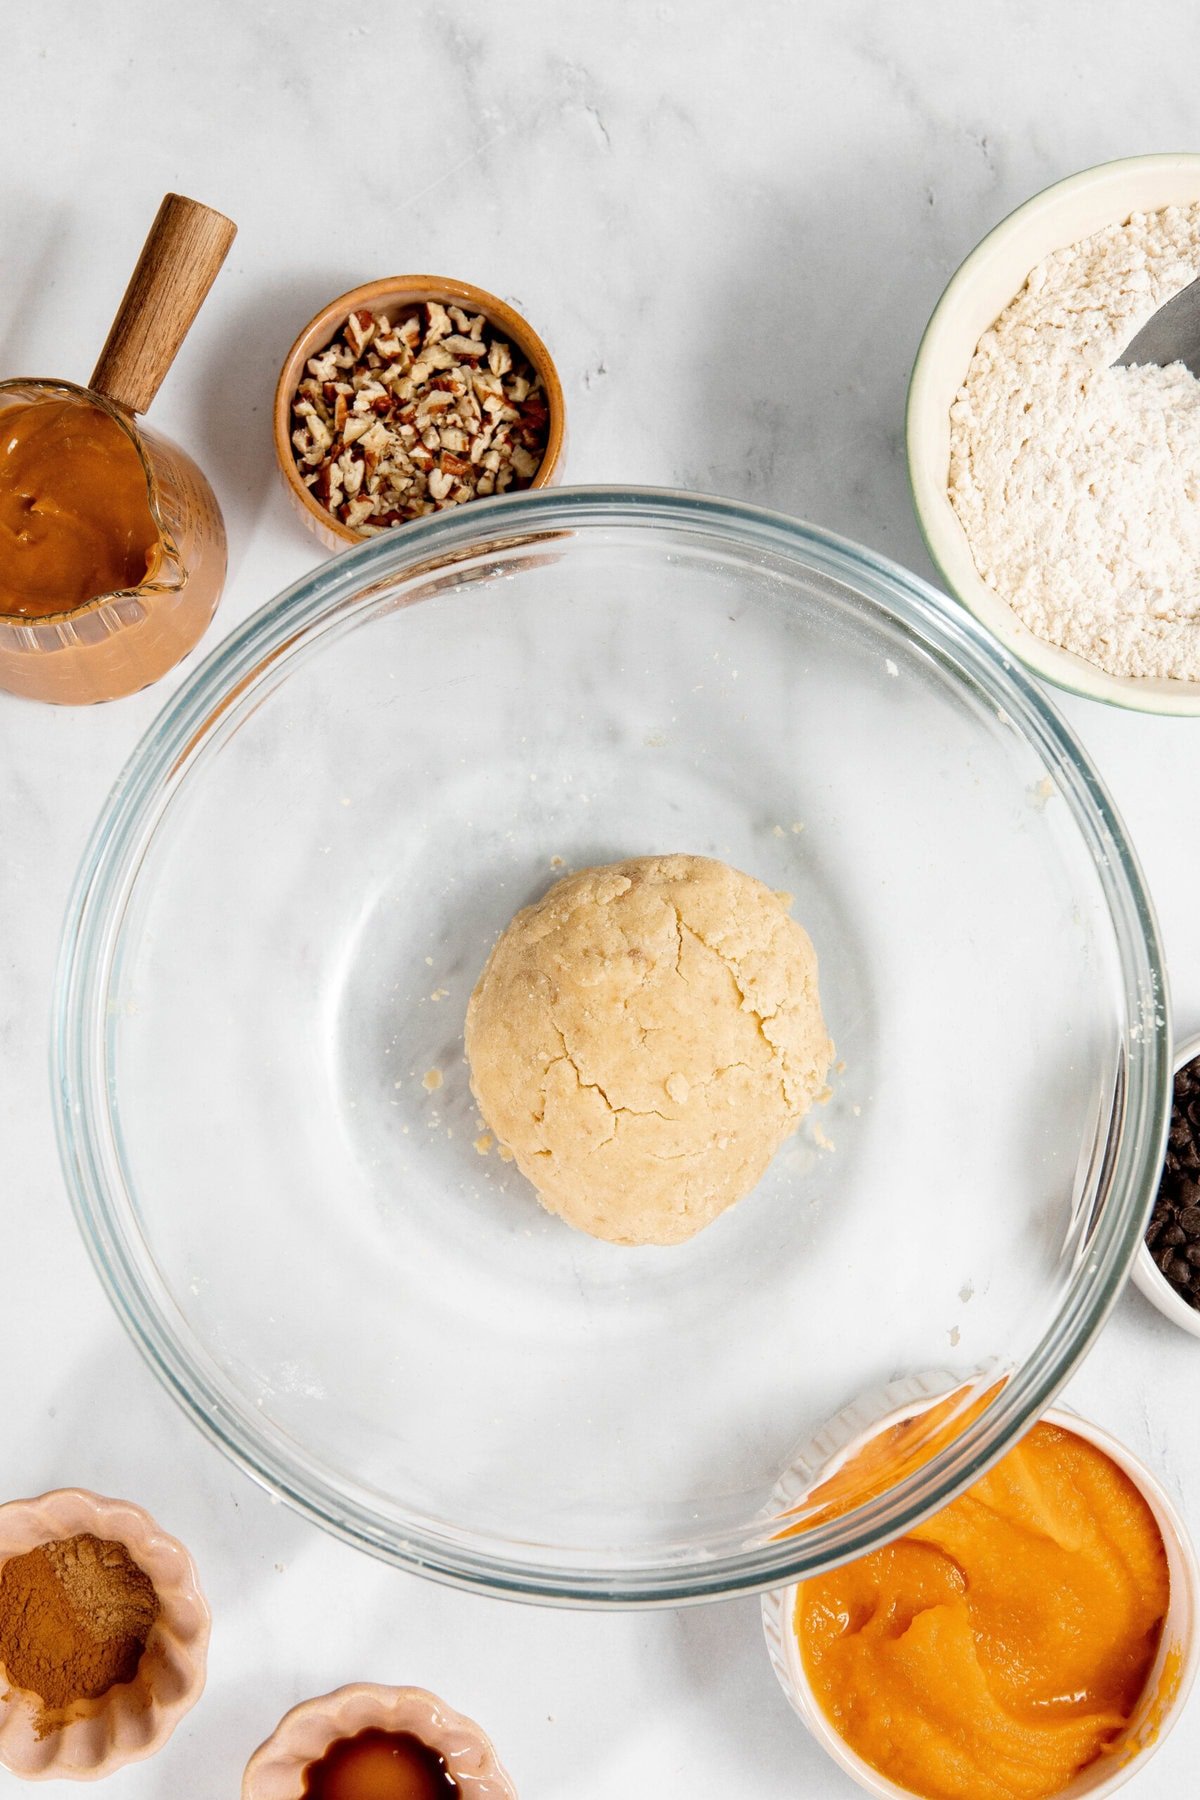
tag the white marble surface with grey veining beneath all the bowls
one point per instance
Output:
(731, 226)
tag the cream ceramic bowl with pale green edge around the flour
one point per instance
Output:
(981, 291)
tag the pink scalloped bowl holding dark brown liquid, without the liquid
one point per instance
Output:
(276, 1770)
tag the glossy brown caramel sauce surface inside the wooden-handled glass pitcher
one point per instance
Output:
(75, 512)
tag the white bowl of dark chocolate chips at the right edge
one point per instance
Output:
(1169, 1261)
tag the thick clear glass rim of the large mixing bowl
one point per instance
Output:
(141, 798)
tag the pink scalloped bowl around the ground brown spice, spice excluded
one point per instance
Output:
(136, 1718)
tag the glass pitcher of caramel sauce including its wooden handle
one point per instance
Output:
(112, 544)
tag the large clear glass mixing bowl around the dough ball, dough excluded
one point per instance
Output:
(282, 917)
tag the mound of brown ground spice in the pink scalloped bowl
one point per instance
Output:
(75, 1617)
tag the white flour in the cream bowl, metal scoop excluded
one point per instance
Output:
(1079, 485)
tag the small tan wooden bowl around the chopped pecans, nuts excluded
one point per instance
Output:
(399, 292)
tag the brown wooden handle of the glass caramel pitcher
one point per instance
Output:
(179, 264)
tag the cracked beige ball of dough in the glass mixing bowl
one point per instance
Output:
(643, 1039)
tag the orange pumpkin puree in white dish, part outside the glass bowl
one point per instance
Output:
(999, 1648)
